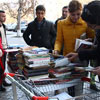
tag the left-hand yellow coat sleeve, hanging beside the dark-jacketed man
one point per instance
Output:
(59, 38)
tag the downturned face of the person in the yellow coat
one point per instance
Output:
(74, 16)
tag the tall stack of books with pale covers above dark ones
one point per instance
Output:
(36, 62)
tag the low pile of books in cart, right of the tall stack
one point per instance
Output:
(66, 73)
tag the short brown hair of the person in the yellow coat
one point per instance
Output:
(74, 5)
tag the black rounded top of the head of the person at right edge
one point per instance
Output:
(91, 12)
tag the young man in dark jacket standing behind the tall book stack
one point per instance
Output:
(40, 32)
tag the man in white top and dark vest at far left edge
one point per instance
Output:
(4, 46)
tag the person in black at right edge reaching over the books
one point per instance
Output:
(91, 15)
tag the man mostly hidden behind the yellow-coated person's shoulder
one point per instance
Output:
(64, 15)
